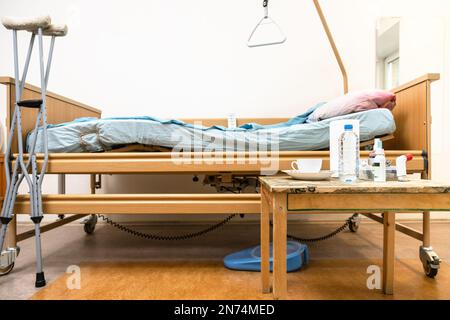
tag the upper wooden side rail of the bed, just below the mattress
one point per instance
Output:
(235, 163)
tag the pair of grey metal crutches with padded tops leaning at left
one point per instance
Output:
(18, 170)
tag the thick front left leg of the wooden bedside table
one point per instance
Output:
(279, 246)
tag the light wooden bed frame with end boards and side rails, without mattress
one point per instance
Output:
(413, 135)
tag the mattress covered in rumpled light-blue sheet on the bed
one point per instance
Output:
(99, 135)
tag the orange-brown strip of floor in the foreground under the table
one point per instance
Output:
(323, 279)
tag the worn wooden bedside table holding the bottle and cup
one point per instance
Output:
(283, 195)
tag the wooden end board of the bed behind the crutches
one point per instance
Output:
(59, 109)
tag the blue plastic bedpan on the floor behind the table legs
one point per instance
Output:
(250, 259)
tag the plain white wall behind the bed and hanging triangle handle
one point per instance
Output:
(177, 58)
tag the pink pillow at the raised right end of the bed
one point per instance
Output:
(354, 102)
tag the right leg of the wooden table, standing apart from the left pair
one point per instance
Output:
(388, 252)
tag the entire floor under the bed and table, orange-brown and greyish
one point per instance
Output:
(115, 265)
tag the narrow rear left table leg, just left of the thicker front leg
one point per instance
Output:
(265, 241)
